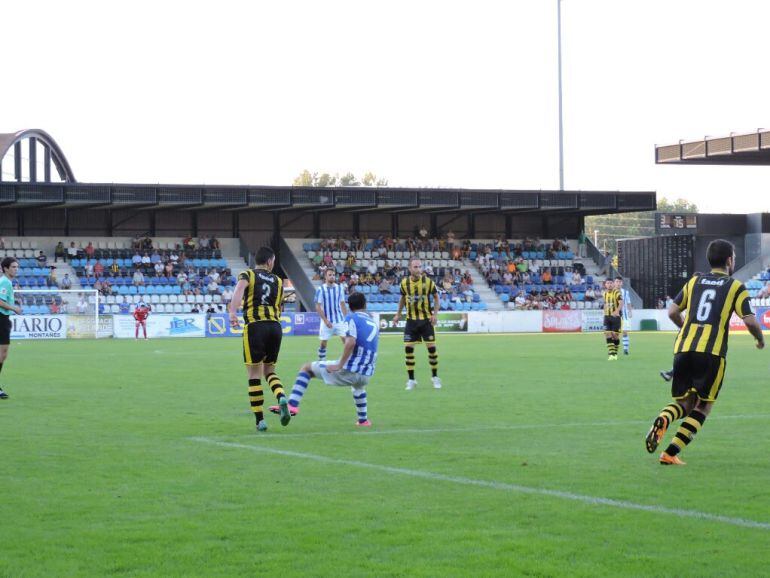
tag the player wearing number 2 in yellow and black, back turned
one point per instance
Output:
(260, 292)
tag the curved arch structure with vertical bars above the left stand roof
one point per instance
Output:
(51, 151)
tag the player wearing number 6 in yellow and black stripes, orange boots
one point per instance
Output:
(700, 349)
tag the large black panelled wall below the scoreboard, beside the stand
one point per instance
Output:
(657, 266)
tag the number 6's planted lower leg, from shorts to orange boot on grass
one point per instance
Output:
(708, 377)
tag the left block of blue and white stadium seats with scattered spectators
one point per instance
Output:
(178, 275)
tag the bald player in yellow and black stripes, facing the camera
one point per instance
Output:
(420, 296)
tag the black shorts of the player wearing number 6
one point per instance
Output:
(699, 373)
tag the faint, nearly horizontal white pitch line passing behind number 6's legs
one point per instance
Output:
(480, 428)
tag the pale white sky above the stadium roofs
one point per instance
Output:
(444, 93)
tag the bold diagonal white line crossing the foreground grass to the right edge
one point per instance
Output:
(585, 499)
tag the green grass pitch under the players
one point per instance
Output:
(140, 459)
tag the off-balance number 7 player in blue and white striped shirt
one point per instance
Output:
(353, 369)
